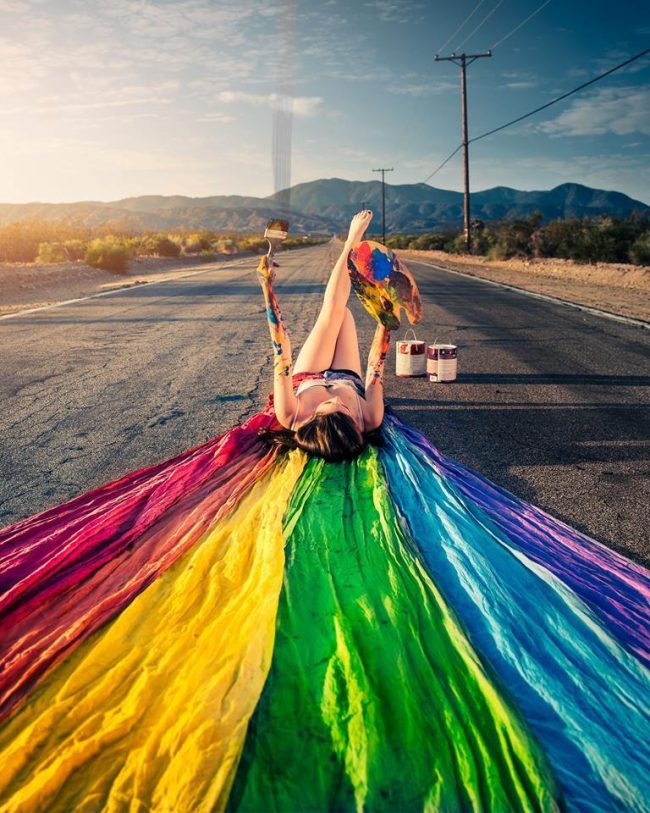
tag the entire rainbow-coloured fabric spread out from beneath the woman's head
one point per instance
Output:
(230, 630)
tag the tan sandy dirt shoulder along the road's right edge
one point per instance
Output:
(618, 288)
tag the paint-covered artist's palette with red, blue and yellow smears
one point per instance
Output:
(384, 284)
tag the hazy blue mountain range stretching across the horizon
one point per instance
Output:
(325, 206)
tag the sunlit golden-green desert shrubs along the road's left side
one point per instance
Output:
(111, 248)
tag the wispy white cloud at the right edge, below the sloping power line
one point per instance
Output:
(621, 111)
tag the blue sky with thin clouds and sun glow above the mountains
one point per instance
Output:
(102, 100)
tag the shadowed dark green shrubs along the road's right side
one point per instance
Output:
(603, 239)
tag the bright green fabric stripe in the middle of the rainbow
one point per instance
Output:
(375, 699)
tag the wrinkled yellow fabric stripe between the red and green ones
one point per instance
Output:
(151, 712)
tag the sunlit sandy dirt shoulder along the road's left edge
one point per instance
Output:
(33, 285)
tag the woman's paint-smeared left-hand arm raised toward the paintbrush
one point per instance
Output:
(283, 395)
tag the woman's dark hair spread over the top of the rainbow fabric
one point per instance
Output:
(333, 436)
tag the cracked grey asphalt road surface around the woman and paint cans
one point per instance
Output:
(551, 402)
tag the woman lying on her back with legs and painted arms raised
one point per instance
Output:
(326, 407)
